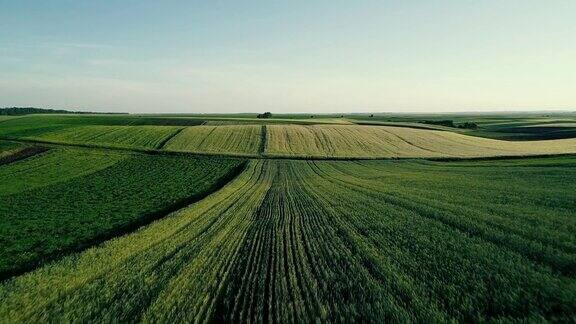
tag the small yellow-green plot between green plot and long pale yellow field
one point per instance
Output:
(224, 139)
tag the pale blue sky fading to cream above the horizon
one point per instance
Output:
(217, 56)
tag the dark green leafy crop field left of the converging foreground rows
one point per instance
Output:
(77, 214)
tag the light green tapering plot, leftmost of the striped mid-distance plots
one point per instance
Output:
(152, 137)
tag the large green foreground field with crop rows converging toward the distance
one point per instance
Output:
(296, 241)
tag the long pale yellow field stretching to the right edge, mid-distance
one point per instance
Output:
(396, 142)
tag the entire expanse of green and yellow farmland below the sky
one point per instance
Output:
(152, 218)
